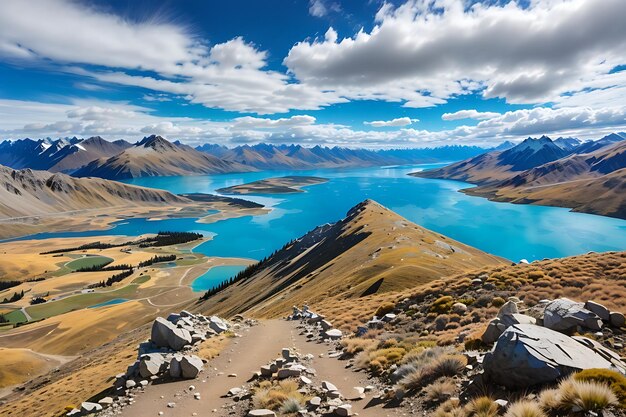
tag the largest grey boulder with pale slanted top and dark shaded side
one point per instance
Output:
(527, 355)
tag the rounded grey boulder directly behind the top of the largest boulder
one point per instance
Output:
(565, 315)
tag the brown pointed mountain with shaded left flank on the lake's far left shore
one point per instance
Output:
(155, 156)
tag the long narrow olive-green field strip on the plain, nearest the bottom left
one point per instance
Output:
(78, 302)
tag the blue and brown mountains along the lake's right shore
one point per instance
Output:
(590, 177)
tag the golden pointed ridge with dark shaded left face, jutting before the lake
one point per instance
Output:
(372, 250)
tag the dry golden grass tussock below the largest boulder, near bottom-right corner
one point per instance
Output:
(585, 395)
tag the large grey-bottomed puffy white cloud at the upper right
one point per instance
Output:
(523, 54)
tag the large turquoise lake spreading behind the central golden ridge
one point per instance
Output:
(508, 230)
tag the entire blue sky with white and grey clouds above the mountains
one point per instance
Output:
(355, 73)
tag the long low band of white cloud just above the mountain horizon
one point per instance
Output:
(88, 118)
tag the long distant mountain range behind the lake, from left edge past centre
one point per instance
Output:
(155, 156)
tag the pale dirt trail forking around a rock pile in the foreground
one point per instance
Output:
(244, 356)
